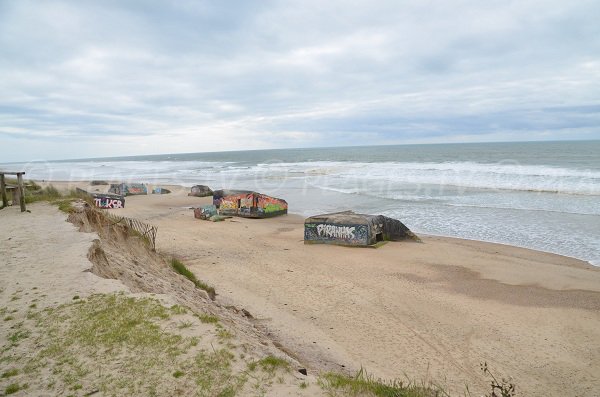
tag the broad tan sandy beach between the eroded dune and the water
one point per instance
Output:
(436, 309)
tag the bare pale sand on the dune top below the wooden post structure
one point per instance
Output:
(42, 256)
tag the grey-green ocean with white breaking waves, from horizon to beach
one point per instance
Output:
(540, 195)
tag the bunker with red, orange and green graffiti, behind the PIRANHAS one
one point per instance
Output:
(248, 204)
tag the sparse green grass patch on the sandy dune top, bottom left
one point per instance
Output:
(79, 342)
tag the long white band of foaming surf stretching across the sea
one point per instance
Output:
(499, 176)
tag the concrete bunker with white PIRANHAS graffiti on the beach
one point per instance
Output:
(349, 228)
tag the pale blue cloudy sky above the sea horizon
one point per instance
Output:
(83, 79)
